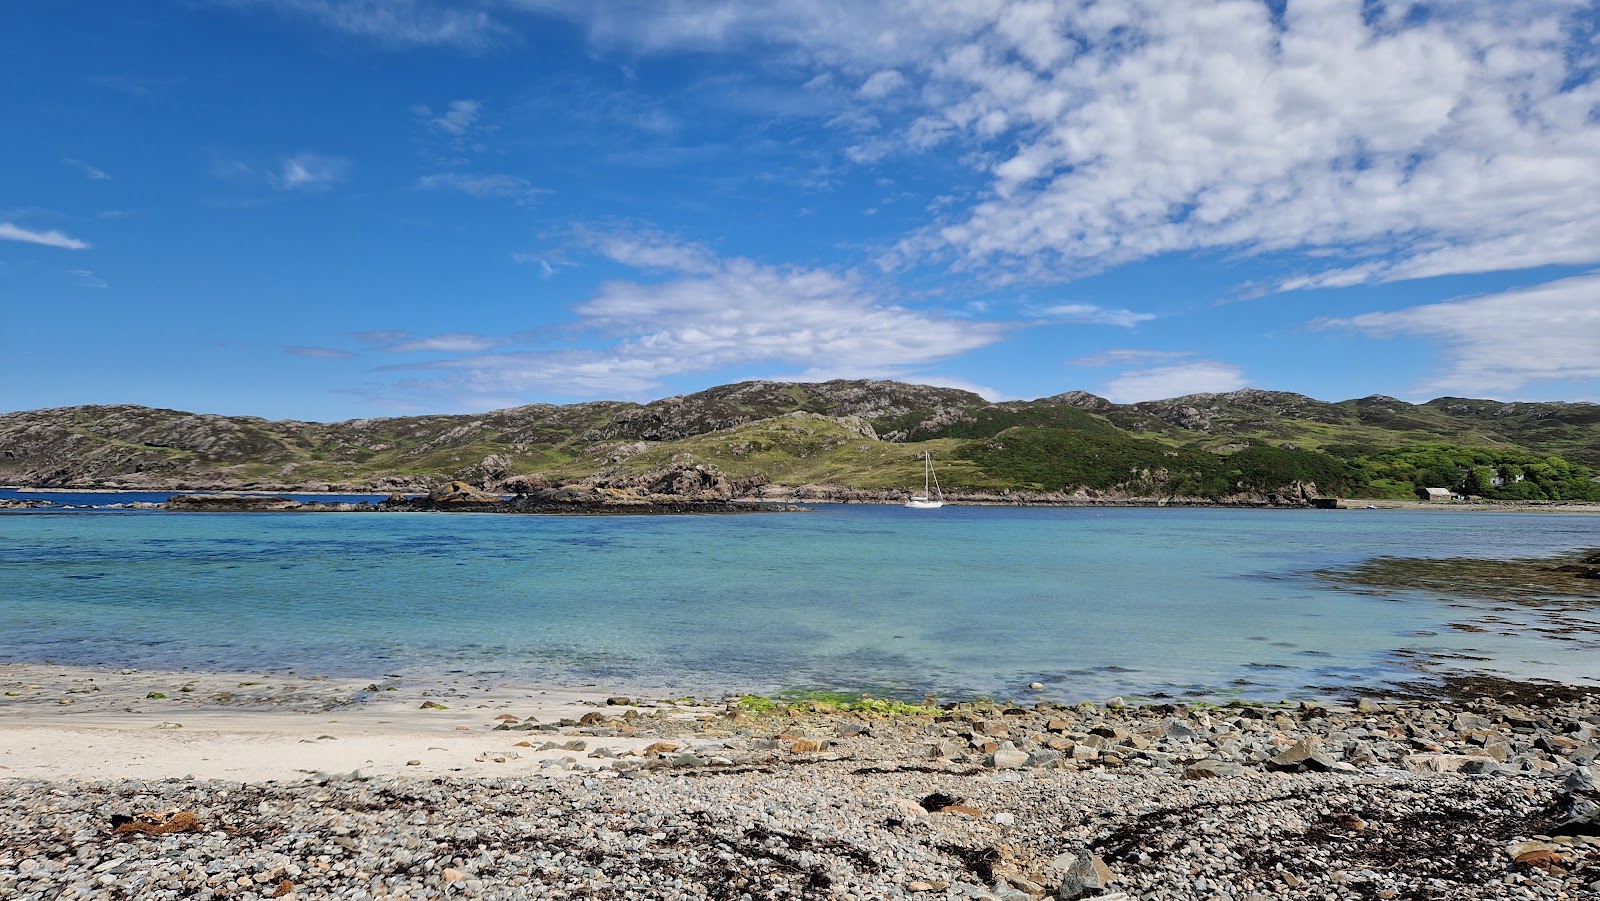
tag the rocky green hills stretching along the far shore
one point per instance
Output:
(842, 438)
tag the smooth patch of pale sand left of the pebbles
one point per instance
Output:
(279, 727)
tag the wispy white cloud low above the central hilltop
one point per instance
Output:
(710, 314)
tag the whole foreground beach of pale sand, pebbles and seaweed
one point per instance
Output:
(294, 787)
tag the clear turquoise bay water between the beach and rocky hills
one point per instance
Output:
(964, 601)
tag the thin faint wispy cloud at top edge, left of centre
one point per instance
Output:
(396, 23)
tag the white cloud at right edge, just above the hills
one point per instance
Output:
(1502, 343)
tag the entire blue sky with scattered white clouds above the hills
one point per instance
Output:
(340, 209)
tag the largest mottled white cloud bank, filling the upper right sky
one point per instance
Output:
(1385, 145)
